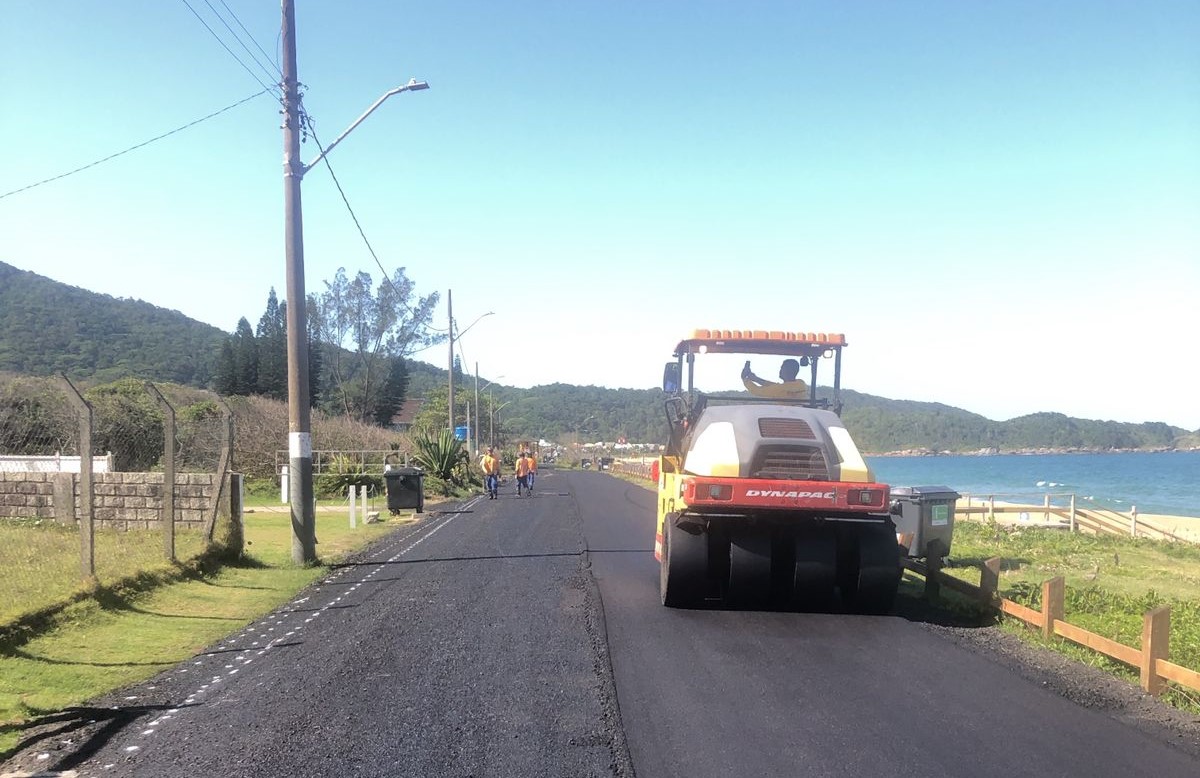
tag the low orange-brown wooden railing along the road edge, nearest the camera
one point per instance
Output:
(1151, 660)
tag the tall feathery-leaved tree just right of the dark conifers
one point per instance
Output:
(362, 330)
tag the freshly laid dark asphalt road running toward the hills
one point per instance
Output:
(497, 641)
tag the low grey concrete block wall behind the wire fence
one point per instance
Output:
(124, 501)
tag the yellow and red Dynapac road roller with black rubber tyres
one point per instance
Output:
(764, 498)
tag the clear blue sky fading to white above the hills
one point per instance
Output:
(998, 202)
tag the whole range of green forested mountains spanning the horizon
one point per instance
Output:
(47, 327)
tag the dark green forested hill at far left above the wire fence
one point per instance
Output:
(47, 327)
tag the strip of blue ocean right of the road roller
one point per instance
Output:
(1157, 483)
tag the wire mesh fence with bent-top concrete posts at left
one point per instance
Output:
(100, 486)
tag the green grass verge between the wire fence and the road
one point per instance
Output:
(134, 631)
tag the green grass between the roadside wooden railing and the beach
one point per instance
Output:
(1112, 583)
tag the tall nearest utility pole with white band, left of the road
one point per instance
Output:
(301, 494)
